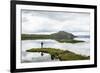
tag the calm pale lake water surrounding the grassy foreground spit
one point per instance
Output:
(82, 48)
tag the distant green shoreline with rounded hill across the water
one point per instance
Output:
(60, 36)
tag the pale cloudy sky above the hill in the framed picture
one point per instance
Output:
(47, 22)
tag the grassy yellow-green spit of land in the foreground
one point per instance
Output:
(60, 54)
